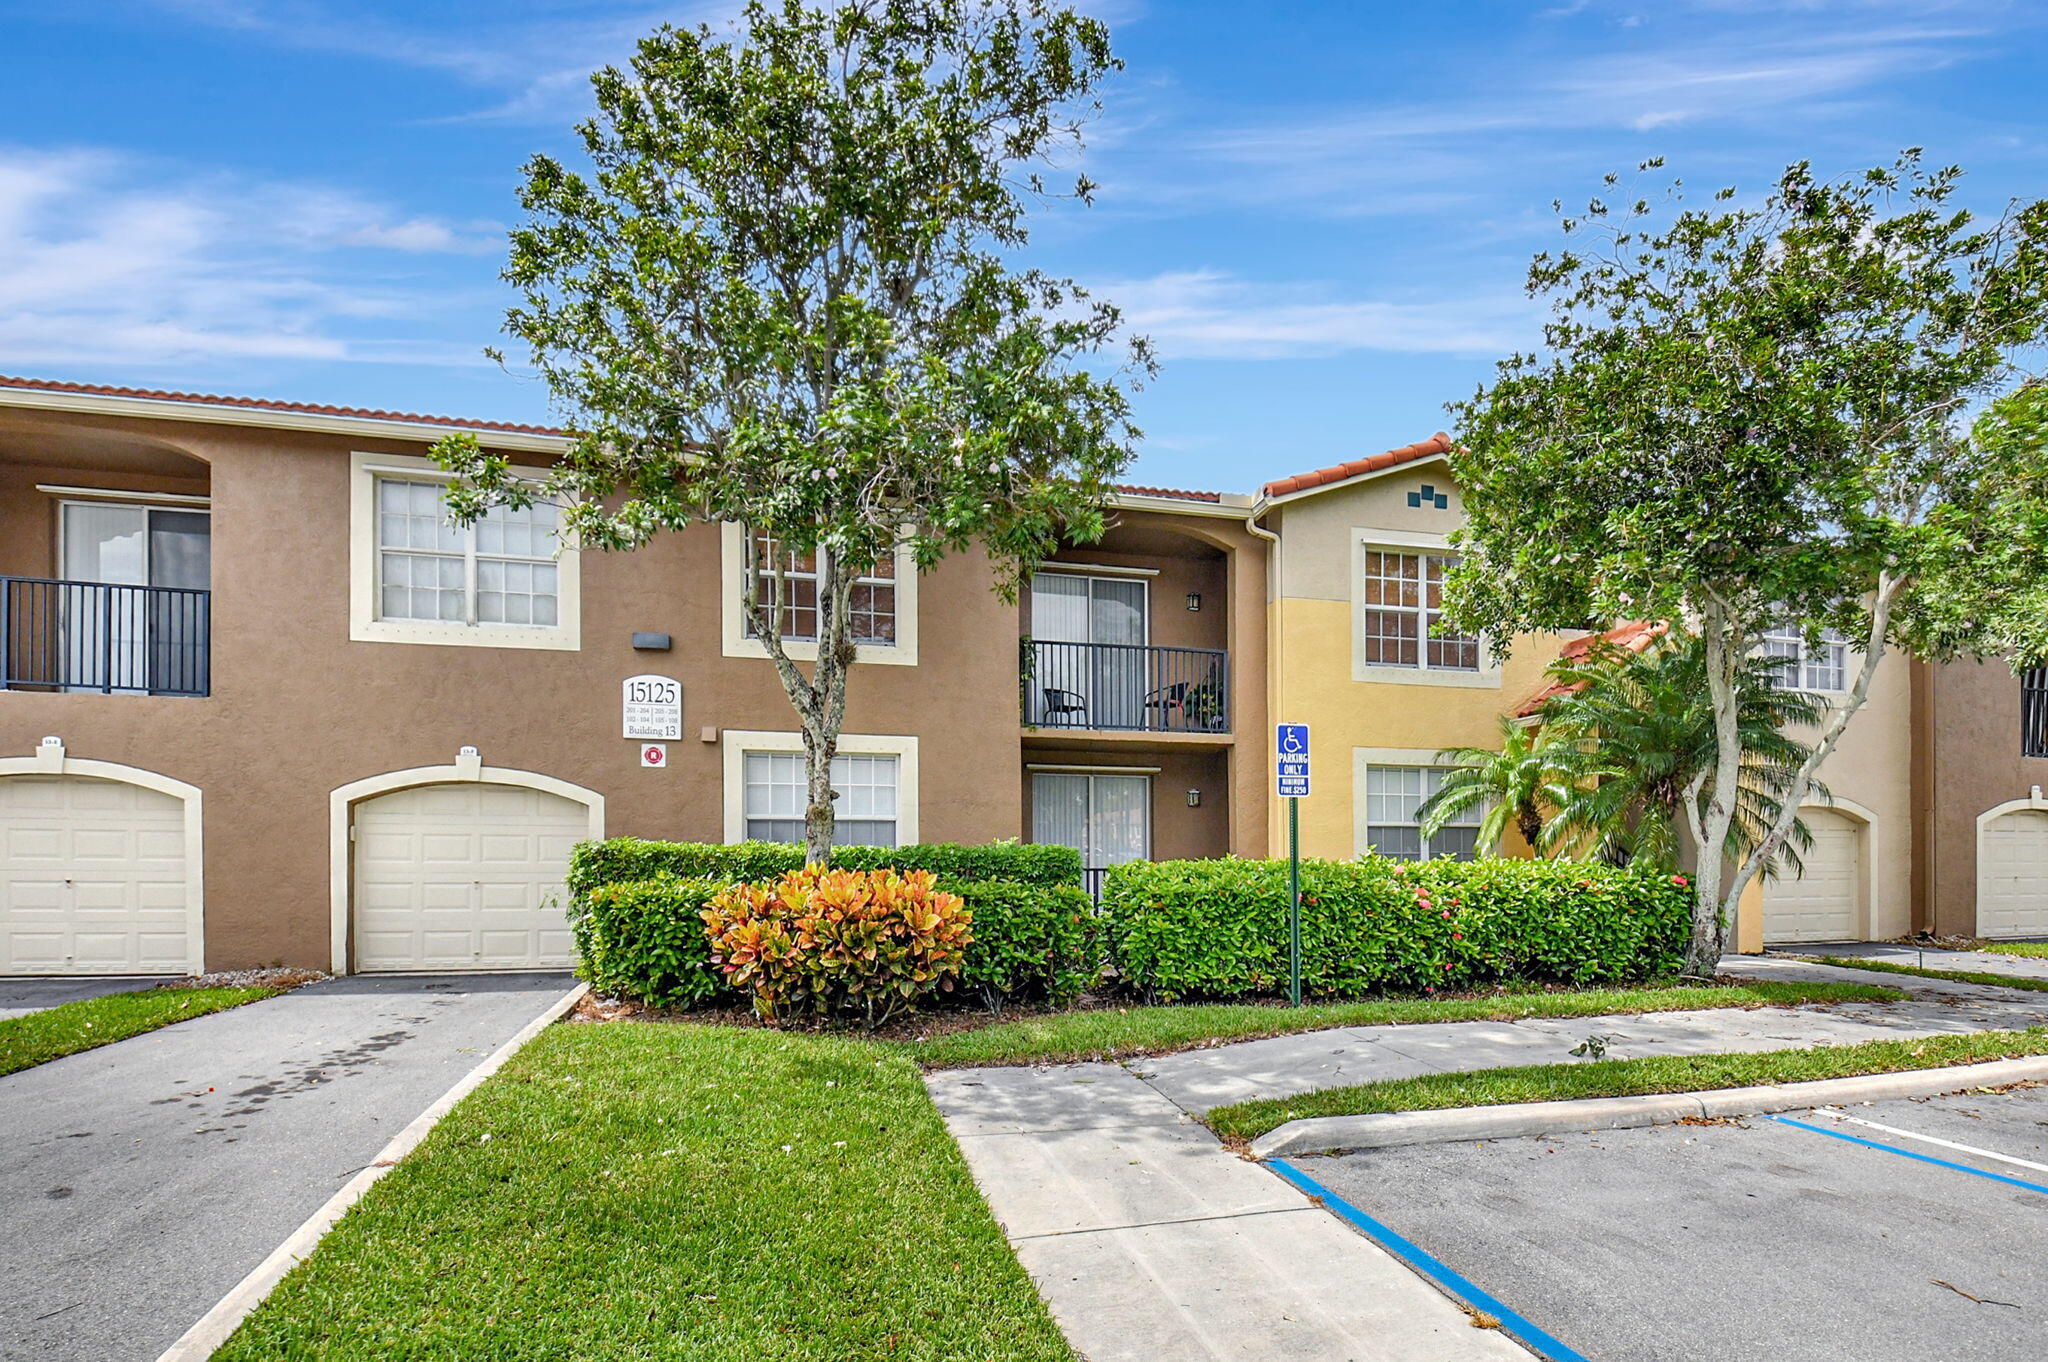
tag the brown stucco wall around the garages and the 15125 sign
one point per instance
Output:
(300, 710)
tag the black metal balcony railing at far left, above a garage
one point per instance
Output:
(95, 636)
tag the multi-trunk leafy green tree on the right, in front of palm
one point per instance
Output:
(1758, 413)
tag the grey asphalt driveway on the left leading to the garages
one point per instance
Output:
(138, 1183)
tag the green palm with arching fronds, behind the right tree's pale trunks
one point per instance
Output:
(1635, 730)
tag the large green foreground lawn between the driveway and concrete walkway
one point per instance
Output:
(681, 1193)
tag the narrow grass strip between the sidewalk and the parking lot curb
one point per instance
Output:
(1621, 1078)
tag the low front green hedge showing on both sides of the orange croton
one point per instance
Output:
(644, 939)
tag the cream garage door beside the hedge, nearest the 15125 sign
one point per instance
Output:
(464, 878)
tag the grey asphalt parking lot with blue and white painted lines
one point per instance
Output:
(1748, 1240)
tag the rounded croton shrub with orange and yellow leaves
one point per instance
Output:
(839, 943)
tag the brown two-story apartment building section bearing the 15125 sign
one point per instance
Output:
(259, 704)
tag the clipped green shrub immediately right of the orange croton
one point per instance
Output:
(1031, 941)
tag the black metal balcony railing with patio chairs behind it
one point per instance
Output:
(1127, 687)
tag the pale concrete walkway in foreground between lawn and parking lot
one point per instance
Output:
(1154, 1242)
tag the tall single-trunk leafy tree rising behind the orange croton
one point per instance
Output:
(785, 294)
